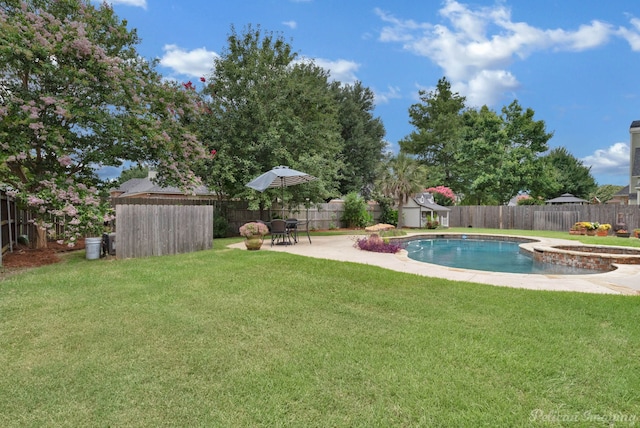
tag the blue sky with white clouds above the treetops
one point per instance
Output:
(576, 63)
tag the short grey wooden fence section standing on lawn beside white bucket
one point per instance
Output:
(156, 230)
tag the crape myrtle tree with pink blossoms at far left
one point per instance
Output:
(77, 96)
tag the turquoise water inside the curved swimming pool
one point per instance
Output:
(489, 255)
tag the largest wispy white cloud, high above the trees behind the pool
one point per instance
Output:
(475, 46)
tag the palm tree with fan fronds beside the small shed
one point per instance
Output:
(402, 177)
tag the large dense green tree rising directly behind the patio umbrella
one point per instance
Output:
(268, 109)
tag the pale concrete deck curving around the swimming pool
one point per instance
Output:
(624, 280)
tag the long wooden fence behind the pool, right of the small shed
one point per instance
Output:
(543, 217)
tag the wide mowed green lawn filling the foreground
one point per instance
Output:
(236, 338)
